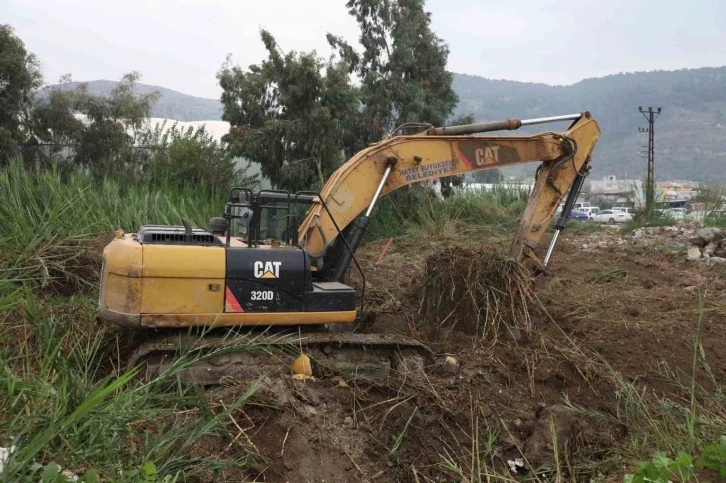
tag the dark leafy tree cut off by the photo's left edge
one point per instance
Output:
(20, 76)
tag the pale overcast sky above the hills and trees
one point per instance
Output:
(180, 44)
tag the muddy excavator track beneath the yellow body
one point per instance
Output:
(251, 354)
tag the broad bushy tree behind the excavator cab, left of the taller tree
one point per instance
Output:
(293, 114)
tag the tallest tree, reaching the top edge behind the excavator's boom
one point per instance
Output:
(402, 69)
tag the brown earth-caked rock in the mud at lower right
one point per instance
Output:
(540, 446)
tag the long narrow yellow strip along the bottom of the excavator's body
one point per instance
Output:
(247, 319)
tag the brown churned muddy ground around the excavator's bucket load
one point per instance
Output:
(623, 309)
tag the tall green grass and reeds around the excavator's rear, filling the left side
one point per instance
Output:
(62, 403)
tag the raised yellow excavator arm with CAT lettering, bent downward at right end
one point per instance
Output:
(437, 152)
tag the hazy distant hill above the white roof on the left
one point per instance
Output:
(171, 104)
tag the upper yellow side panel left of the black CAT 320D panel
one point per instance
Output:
(181, 261)
